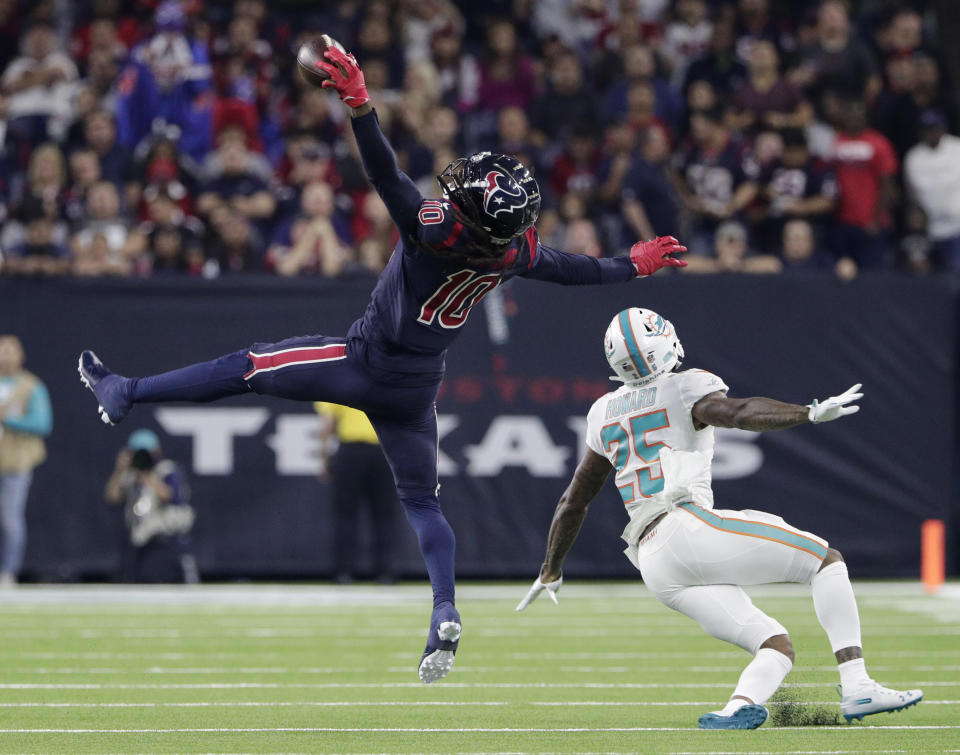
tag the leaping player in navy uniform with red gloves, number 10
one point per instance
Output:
(452, 252)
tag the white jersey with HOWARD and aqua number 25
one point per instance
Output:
(633, 424)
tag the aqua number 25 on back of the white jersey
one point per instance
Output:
(634, 453)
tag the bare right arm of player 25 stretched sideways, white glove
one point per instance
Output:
(760, 414)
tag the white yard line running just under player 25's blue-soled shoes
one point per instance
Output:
(440, 730)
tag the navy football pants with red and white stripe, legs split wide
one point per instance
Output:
(322, 368)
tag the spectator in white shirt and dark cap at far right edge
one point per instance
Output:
(932, 172)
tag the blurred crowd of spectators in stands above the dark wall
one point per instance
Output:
(145, 138)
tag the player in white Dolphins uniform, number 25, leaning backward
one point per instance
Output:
(656, 431)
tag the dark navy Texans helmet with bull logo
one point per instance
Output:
(496, 193)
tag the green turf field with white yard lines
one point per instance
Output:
(332, 670)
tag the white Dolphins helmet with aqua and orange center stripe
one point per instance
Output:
(641, 346)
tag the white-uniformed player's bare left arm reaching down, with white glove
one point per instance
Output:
(568, 517)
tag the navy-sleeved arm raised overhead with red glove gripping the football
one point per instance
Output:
(398, 192)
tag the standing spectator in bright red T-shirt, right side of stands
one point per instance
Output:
(866, 166)
